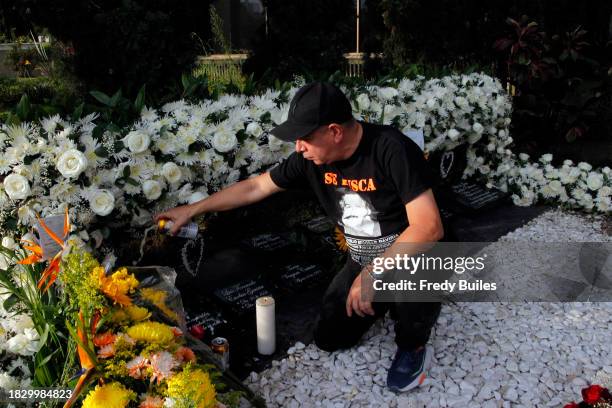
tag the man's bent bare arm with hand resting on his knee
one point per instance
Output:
(425, 226)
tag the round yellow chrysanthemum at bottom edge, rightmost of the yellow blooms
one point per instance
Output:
(192, 388)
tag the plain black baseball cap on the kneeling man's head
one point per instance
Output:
(314, 105)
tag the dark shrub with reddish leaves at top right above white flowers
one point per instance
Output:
(563, 91)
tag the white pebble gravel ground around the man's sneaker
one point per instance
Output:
(486, 354)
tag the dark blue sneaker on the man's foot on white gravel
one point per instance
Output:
(408, 369)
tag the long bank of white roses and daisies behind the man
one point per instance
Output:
(184, 152)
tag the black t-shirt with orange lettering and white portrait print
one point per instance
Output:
(365, 194)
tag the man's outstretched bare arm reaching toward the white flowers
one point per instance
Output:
(243, 193)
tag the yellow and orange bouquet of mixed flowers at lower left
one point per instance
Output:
(127, 341)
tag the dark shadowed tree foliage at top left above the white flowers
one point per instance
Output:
(123, 44)
